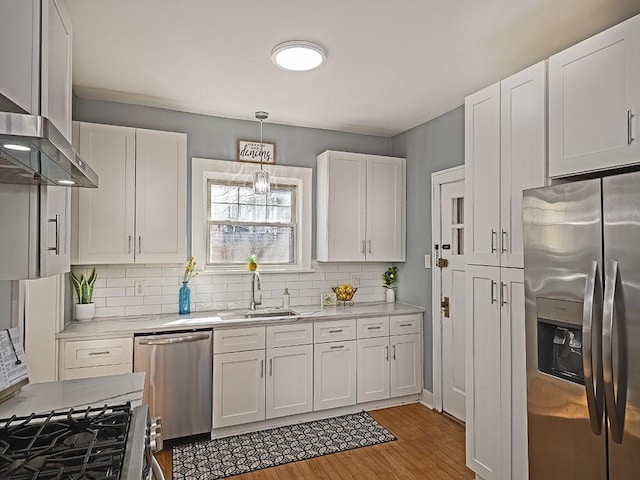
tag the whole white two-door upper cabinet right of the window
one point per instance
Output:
(360, 207)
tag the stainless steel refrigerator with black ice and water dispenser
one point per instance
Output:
(582, 283)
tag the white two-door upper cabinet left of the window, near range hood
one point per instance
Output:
(138, 213)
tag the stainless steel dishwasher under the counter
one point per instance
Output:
(178, 380)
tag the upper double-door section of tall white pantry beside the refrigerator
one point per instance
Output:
(505, 153)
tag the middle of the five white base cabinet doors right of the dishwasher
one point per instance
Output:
(334, 375)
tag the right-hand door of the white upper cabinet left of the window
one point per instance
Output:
(161, 197)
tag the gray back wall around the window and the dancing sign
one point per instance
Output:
(216, 137)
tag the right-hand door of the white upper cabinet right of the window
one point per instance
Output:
(385, 209)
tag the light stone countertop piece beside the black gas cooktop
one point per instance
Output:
(77, 394)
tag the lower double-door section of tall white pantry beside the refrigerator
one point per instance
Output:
(496, 428)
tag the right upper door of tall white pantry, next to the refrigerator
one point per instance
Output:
(523, 153)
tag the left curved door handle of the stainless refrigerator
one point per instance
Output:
(592, 336)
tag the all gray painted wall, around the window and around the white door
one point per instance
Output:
(432, 146)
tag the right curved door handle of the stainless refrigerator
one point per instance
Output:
(615, 405)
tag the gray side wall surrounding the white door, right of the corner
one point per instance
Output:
(428, 148)
